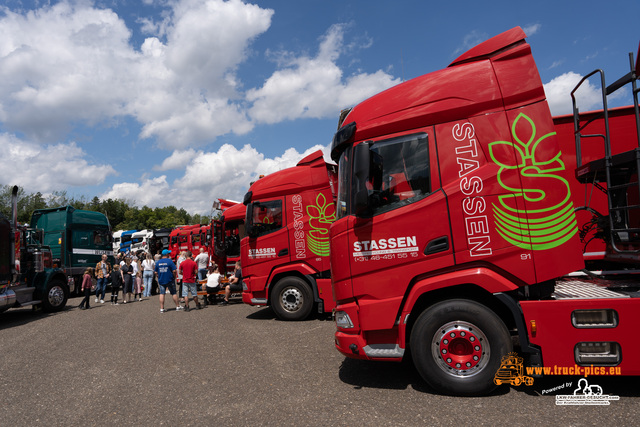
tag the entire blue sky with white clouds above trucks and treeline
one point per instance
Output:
(184, 101)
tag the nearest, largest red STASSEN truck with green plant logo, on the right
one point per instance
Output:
(455, 222)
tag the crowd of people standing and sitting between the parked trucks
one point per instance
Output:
(134, 279)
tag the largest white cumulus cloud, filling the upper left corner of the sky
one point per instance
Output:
(73, 62)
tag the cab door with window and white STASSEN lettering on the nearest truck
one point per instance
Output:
(405, 231)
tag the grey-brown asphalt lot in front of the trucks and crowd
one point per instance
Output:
(238, 365)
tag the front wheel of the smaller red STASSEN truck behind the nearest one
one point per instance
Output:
(292, 299)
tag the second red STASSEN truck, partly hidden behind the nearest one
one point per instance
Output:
(285, 256)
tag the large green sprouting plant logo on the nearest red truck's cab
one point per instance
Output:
(548, 220)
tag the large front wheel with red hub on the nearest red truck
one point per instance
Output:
(457, 347)
